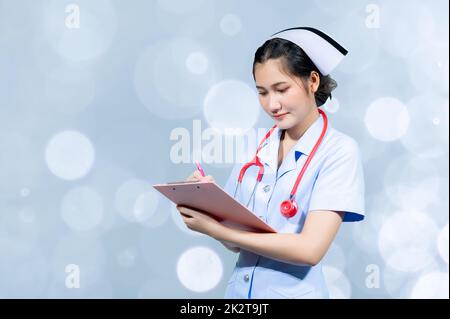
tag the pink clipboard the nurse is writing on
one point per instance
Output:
(210, 198)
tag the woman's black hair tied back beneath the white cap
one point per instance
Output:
(297, 63)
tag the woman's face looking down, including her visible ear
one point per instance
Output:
(283, 96)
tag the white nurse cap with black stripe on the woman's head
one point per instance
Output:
(323, 51)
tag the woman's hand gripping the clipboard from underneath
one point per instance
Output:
(200, 222)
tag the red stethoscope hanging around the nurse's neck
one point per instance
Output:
(289, 207)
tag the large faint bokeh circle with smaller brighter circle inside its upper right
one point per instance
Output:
(177, 73)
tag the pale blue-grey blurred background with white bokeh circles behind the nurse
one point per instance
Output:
(92, 90)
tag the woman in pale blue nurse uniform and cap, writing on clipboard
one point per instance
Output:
(307, 180)
